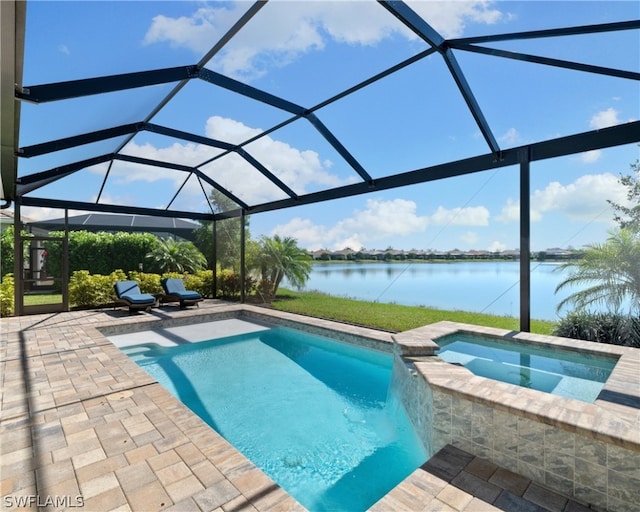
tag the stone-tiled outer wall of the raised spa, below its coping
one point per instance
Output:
(592, 471)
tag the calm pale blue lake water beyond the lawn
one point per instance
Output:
(486, 287)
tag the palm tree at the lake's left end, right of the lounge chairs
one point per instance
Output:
(280, 258)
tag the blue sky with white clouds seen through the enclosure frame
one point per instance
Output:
(307, 52)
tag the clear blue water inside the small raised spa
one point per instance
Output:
(578, 375)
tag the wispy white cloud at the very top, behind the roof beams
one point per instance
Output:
(282, 31)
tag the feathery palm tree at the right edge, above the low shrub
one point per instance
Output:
(611, 272)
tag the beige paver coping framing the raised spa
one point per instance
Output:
(605, 420)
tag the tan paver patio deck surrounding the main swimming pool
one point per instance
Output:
(83, 427)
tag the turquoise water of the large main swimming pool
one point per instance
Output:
(316, 415)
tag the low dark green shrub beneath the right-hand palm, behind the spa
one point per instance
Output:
(611, 328)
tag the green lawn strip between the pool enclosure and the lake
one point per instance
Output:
(390, 317)
